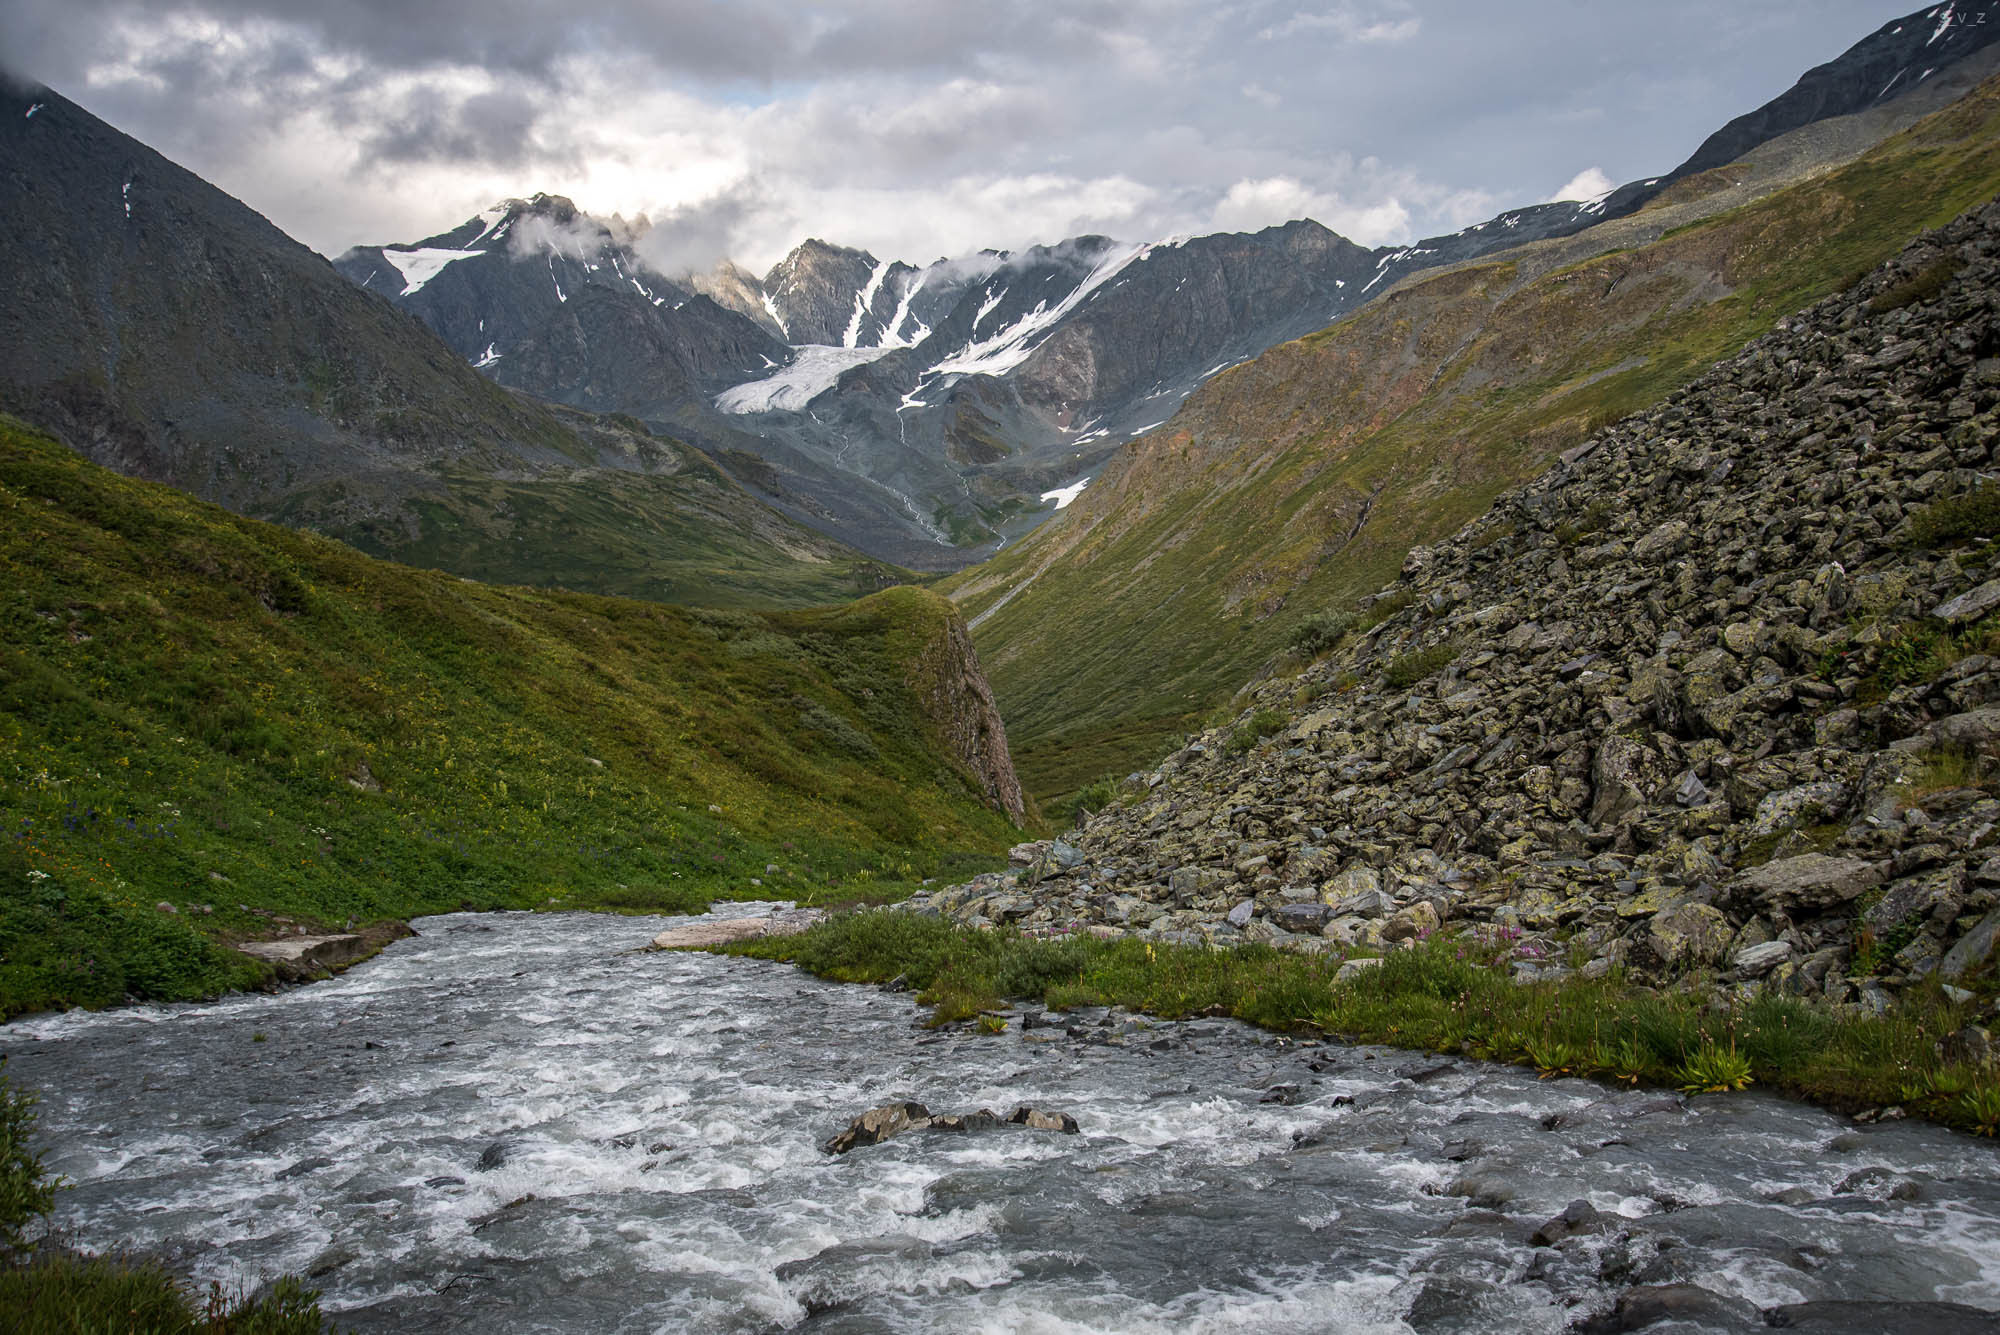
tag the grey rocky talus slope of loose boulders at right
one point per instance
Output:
(1719, 690)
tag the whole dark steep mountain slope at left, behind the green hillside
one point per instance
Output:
(167, 331)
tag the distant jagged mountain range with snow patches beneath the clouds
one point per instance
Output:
(929, 415)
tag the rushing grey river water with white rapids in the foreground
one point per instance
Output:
(519, 1124)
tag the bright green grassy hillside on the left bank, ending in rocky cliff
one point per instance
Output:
(239, 720)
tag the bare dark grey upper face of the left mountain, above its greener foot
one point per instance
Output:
(165, 329)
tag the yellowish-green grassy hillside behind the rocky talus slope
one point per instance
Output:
(1295, 485)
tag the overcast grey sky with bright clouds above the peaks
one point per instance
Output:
(921, 129)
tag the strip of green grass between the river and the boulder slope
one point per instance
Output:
(1449, 994)
